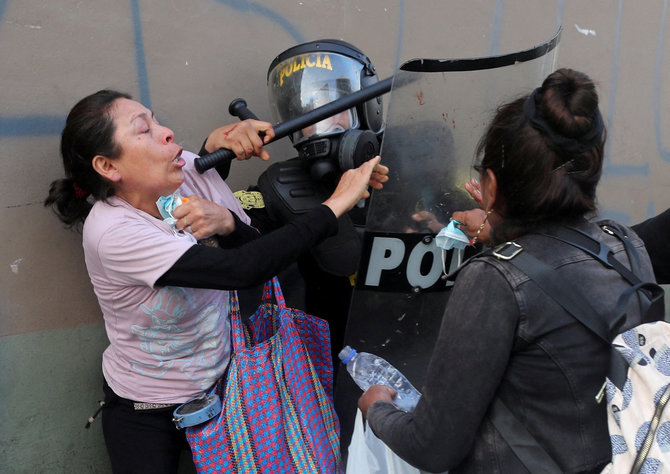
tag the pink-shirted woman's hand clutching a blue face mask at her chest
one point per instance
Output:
(202, 218)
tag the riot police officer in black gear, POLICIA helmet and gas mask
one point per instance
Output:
(300, 79)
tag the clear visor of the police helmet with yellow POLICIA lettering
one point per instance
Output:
(307, 81)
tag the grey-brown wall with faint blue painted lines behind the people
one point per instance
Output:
(187, 59)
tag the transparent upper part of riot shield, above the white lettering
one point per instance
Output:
(438, 111)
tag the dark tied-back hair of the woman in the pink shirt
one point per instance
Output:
(89, 131)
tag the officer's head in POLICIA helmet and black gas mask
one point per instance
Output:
(311, 75)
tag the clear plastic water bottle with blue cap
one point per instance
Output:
(369, 369)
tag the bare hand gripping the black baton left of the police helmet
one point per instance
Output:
(242, 138)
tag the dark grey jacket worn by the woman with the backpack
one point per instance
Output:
(501, 335)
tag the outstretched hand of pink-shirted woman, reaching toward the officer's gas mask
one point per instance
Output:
(353, 185)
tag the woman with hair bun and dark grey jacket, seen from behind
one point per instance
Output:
(501, 335)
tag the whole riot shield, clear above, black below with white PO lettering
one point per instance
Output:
(437, 113)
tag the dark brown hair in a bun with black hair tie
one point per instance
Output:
(546, 150)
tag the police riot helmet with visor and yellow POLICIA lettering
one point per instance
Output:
(313, 74)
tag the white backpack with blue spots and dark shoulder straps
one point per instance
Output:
(637, 387)
